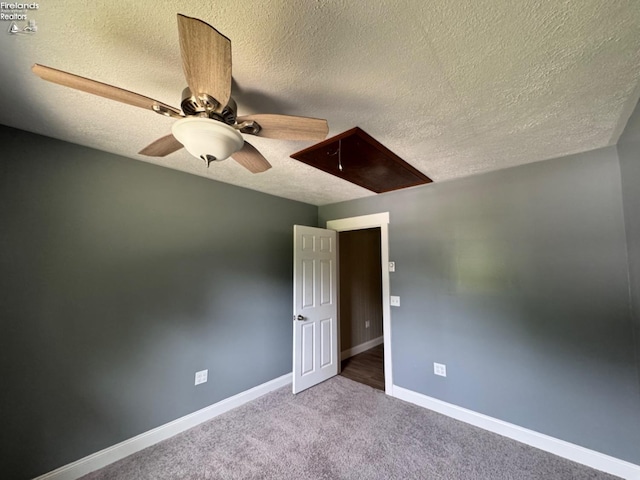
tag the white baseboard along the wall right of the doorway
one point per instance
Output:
(567, 450)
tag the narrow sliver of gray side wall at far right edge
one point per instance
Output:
(629, 153)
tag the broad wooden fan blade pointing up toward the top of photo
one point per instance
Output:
(206, 59)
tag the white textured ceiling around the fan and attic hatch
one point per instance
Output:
(453, 87)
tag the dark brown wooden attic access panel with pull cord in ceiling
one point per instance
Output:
(365, 162)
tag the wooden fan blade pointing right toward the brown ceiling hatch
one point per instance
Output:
(286, 127)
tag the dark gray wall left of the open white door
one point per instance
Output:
(119, 280)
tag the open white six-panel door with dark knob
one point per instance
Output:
(315, 307)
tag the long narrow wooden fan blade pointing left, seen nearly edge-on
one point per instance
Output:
(98, 88)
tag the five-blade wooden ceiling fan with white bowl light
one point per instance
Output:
(207, 125)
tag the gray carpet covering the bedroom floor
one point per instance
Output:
(340, 430)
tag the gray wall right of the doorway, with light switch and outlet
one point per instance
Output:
(517, 281)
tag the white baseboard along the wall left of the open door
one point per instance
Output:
(121, 450)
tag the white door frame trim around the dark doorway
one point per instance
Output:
(372, 221)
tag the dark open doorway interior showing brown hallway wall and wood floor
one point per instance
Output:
(360, 310)
